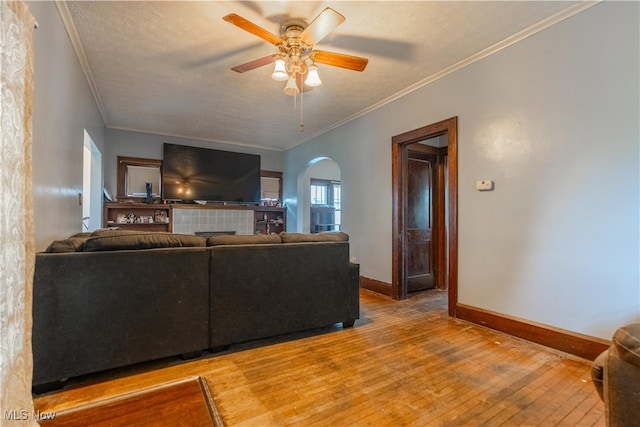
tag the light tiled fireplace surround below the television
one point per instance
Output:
(191, 221)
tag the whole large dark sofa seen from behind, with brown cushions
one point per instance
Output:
(115, 298)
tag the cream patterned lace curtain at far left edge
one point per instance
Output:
(17, 246)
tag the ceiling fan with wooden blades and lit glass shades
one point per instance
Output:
(297, 57)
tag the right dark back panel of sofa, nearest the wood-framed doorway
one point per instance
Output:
(257, 291)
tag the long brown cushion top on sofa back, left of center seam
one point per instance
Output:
(112, 240)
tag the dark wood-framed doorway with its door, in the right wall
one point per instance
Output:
(431, 152)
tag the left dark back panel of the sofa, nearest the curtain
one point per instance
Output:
(94, 311)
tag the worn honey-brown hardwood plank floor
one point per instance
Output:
(403, 363)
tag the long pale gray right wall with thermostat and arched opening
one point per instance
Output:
(553, 120)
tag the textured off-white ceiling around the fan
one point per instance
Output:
(164, 67)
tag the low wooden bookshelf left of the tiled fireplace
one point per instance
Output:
(138, 216)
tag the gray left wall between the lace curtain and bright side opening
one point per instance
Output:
(63, 109)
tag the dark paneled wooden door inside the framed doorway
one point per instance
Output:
(419, 221)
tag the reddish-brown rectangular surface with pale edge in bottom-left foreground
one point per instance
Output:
(185, 403)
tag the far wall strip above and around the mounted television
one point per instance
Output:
(149, 146)
